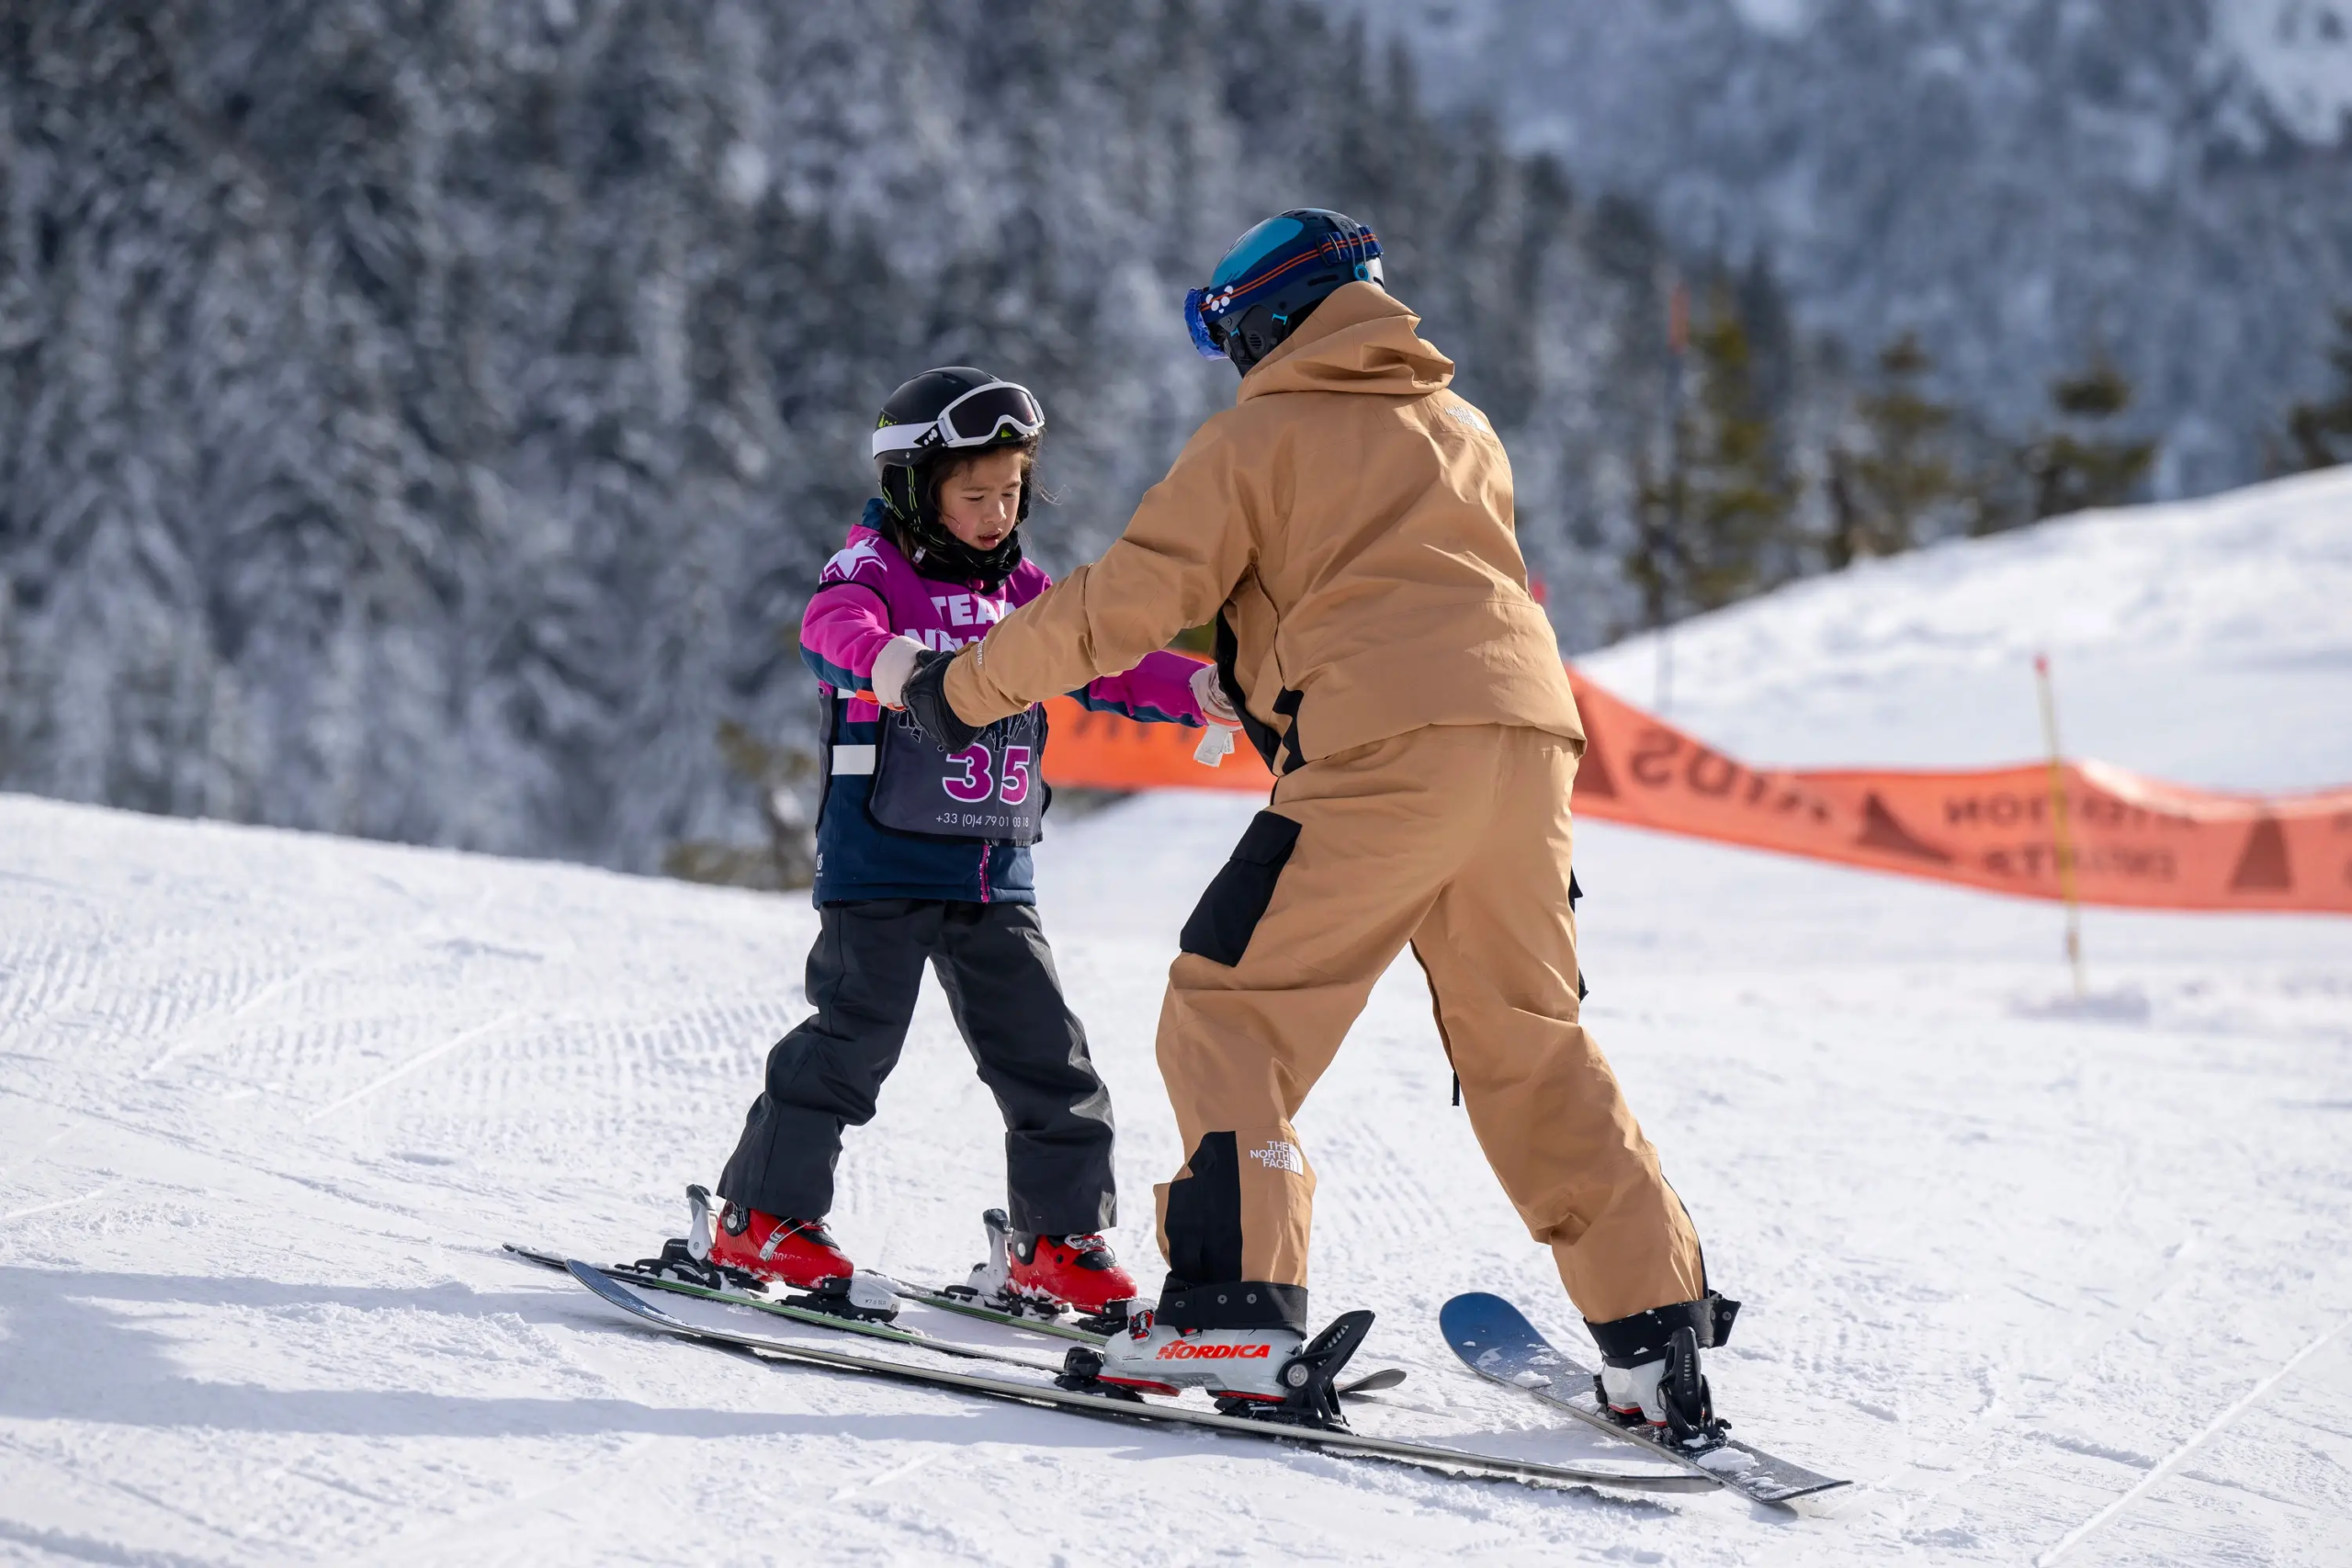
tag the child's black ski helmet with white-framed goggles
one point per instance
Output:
(951, 413)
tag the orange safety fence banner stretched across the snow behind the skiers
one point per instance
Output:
(2137, 843)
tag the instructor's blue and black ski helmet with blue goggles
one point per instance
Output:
(1274, 276)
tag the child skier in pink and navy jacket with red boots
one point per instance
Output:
(923, 857)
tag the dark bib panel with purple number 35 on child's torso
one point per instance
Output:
(987, 791)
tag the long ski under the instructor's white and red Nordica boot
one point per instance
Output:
(1426, 1456)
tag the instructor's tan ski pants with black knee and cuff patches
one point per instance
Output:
(1452, 840)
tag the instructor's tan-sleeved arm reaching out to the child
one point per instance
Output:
(1180, 558)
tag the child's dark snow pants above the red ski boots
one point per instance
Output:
(998, 974)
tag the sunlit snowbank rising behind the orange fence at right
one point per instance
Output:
(2205, 643)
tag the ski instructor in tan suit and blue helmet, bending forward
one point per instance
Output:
(1349, 525)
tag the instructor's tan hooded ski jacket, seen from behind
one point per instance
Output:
(1349, 523)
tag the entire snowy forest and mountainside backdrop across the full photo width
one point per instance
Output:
(425, 422)
